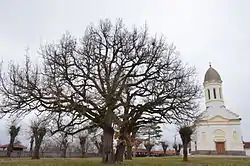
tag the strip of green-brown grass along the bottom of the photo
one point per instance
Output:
(170, 161)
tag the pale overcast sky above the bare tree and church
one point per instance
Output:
(204, 31)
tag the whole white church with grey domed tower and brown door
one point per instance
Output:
(218, 130)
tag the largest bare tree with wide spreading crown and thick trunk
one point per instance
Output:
(89, 79)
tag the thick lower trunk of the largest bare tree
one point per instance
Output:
(108, 154)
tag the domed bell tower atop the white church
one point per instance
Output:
(213, 88)
